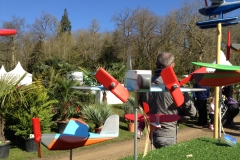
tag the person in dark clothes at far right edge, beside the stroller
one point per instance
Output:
(232, 104)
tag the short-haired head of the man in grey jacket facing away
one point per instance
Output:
(164, 60)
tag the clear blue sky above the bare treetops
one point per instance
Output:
(81, 12)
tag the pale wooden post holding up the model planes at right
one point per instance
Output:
(217, 89)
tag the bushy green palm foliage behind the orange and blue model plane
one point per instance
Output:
(54, 74)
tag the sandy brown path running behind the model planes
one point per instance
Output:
(117, 150)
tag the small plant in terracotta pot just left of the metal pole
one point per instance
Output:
(128, 108)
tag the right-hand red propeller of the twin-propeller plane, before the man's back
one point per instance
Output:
(172, 84)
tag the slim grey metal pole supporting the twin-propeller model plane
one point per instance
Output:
(135, 124)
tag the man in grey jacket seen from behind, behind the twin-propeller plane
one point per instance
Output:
(162, 103)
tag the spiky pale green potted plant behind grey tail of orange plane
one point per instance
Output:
(97, 114)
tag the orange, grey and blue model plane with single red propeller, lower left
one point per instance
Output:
(75, 135)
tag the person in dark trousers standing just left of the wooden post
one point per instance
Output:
(201, 99)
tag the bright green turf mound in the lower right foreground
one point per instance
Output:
(200, 148)
